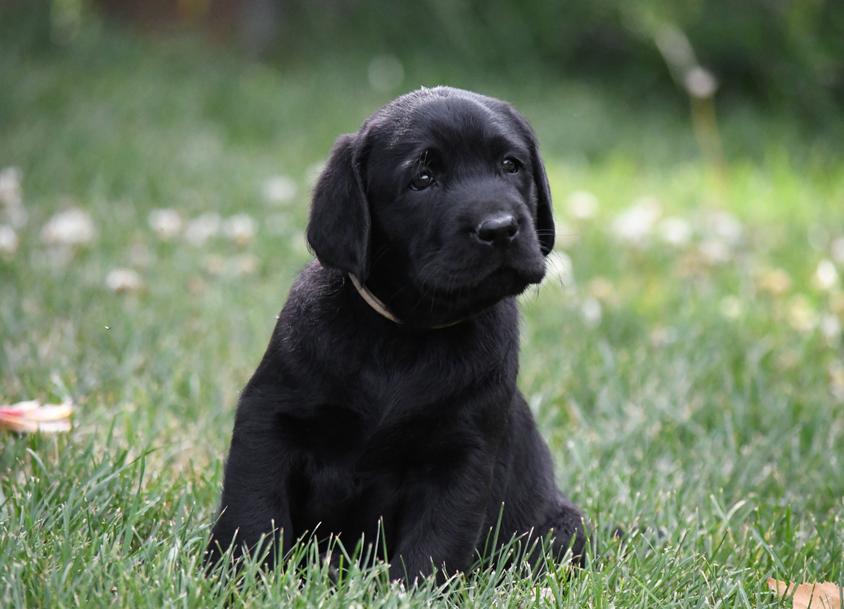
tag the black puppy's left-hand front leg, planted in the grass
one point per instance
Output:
(255, 489)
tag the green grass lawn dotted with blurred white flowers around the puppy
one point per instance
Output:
(698, 404)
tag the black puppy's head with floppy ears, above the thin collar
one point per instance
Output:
(439, 203)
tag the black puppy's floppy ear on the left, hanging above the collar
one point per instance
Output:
(338, 229)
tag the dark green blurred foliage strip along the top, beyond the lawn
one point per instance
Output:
(777, 52)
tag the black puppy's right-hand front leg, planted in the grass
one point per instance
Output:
(443, 519)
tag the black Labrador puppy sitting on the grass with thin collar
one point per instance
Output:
(387, 394)
